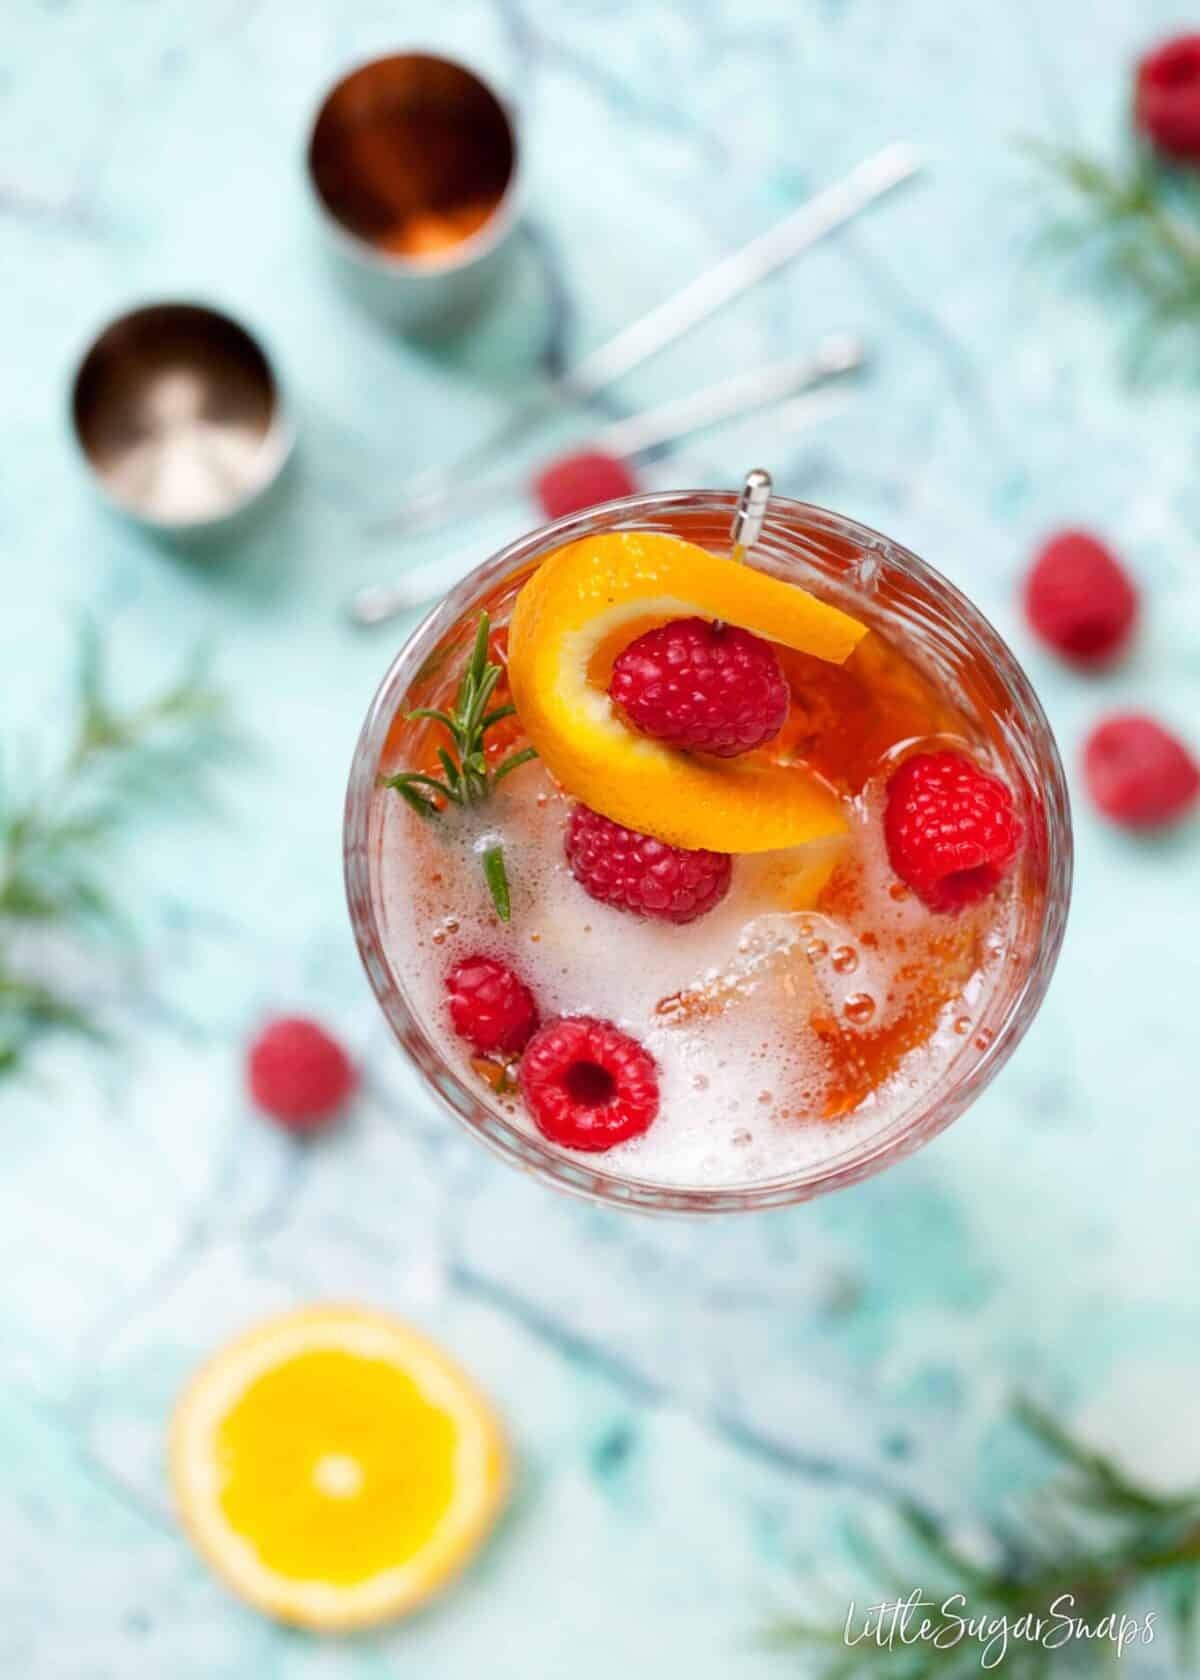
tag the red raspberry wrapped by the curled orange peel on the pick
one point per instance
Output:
(700, 686)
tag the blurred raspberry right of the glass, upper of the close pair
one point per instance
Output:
(1080, 599)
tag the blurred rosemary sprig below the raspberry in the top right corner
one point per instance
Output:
(1142, 221)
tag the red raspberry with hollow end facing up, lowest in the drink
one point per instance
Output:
(587, 1084)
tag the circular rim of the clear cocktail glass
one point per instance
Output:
(915, 1125)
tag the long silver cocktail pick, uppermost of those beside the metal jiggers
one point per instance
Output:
(426, 496)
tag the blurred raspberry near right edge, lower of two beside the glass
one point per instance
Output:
(1140, 775)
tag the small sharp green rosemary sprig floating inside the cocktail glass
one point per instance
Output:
(466, 777)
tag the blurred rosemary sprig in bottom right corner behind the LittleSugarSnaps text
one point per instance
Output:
(1092, 1536)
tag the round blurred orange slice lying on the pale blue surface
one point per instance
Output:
(335, 1467)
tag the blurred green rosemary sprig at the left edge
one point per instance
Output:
(55, 831)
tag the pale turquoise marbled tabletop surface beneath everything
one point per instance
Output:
(697, 1407)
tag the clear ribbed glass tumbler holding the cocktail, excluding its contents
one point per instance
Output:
(888, 587)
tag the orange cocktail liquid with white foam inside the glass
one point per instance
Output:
(811, 1009)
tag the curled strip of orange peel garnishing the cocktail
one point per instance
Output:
(571, 621)
